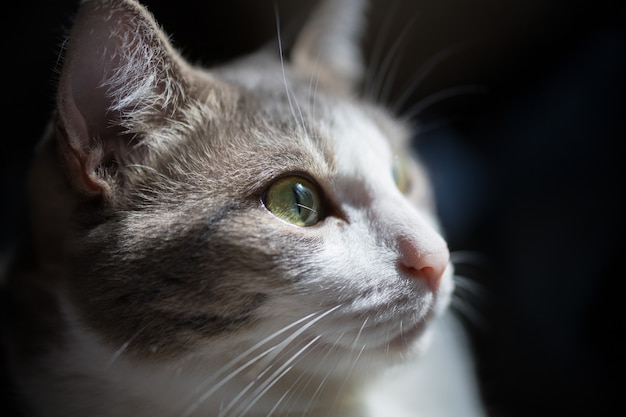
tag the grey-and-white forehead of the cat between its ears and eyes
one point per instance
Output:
(257, 120)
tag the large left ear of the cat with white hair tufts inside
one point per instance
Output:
(119, 73)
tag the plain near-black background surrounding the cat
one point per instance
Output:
(526, 158)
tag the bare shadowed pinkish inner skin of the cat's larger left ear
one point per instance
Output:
(83, 102)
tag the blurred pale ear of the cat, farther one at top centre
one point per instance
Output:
(327, 47)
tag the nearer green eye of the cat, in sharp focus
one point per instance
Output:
(294, 200)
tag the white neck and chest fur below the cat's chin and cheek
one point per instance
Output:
(436, 383)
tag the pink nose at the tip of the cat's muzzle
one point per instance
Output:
(427, 264)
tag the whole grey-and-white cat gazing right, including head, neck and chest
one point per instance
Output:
(252, 239)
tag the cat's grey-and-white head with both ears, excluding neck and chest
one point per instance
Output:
(260, 202)
